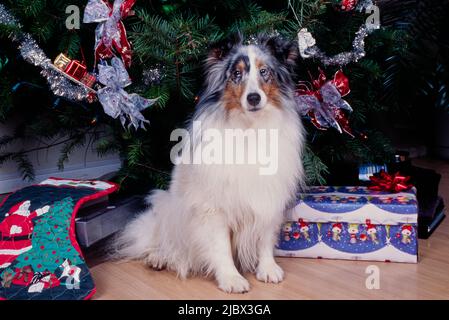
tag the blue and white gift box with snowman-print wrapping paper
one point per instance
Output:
(352, 223)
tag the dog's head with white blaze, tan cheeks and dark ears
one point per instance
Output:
(251, 78)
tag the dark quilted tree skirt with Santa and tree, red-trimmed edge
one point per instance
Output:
(39, 255)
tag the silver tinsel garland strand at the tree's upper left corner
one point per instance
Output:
(32, 53)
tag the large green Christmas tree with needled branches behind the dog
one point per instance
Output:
(170, 39)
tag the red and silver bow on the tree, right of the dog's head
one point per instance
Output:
(323, 103)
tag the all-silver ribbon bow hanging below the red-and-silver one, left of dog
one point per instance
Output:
(116, 102)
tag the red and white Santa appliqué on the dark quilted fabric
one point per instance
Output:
(16, 231)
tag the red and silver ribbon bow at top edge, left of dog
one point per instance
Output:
(110, 33)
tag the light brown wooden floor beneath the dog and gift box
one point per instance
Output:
(305, 278)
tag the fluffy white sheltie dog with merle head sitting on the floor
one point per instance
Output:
(223, 218)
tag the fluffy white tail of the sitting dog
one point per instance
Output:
(140, 239)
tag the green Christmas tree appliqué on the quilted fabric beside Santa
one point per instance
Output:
(51, 244)
